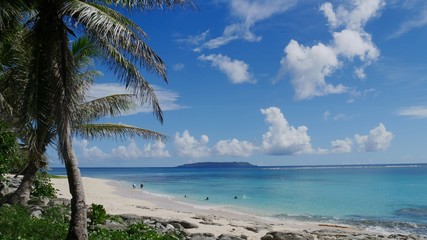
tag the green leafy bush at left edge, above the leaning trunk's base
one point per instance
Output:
(9, 152)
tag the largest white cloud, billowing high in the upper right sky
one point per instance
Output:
(309, 67)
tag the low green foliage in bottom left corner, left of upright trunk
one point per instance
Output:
(16, 223)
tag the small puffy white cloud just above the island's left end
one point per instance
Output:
(188, 146)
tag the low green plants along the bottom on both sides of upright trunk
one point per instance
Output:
(16, 222)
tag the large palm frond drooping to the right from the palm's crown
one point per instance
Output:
(123, 47)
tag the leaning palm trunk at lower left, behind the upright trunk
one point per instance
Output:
(22, 194)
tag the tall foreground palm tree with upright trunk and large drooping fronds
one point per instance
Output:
(51, 65)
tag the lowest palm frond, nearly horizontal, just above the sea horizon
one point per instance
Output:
(116, 131)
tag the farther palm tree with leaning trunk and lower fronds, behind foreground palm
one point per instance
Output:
(87, 113)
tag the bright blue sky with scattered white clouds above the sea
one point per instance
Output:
(280, 82)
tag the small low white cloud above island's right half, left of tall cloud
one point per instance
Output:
(234, 148)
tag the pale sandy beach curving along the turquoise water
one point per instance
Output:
(118, 199)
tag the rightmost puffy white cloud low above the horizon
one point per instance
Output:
(379, 139)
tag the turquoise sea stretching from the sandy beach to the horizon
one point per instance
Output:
(389, 198)
